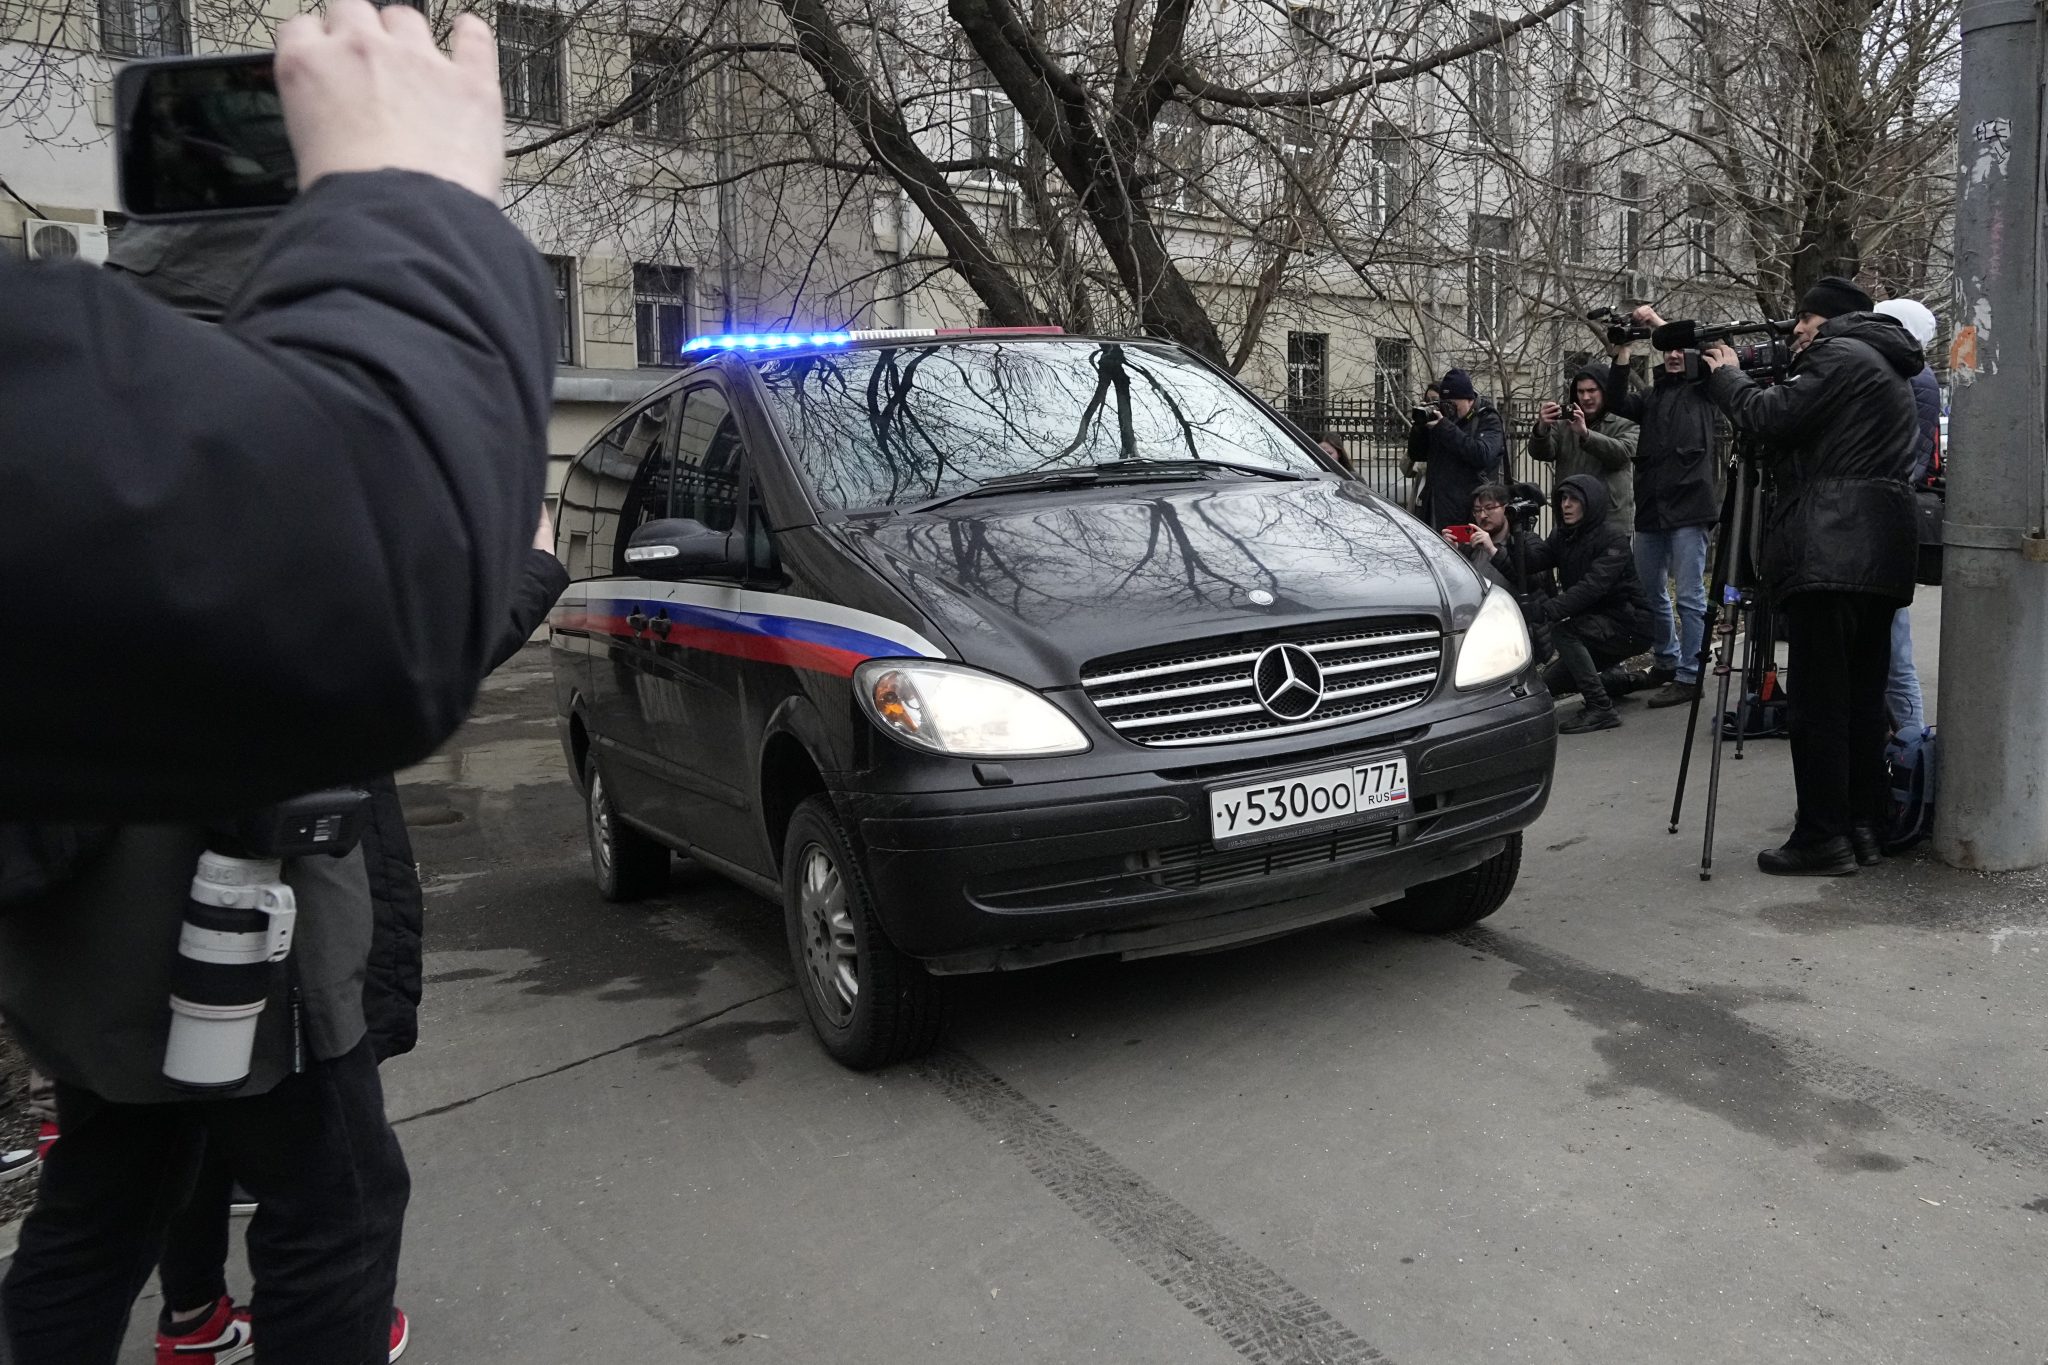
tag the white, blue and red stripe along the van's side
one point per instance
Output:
(746, 625)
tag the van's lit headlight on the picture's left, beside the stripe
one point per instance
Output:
(964, 713)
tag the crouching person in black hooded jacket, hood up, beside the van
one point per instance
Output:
(1601, 615)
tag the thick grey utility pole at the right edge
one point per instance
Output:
(1994, 791)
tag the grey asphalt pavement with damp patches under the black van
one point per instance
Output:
(1635, 1118)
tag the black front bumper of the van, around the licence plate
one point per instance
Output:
(1013, 877)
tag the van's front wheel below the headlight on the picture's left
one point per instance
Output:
(869, 1002)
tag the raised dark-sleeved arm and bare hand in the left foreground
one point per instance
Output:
(308, 521)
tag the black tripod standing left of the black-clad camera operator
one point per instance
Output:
(1732, 605)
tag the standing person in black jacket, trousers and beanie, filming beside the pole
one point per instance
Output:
(1838, 556)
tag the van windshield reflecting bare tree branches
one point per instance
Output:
(906, 425)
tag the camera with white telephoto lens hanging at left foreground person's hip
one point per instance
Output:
(239, 928)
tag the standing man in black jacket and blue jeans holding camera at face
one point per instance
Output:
(1678, 502)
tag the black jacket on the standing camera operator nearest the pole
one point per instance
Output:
(1840, 437)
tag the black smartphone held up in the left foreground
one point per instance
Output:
(202, 138)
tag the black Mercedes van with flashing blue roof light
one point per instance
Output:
(988, 650)
